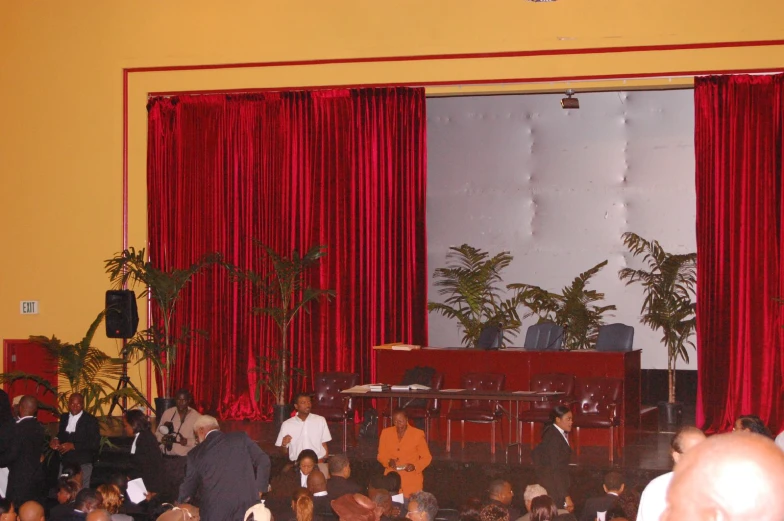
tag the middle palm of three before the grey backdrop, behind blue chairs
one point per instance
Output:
(574, 308)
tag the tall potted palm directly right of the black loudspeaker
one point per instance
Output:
(159, 342)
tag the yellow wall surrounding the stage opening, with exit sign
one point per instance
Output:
(61, 74)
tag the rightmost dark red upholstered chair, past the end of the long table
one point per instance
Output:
(597, 405)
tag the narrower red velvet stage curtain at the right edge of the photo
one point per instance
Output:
(738, 147)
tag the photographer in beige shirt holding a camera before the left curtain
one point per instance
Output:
(181, 417)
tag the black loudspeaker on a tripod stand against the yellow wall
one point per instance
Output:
(122, 320)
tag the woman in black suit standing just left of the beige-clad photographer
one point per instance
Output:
(146, 458)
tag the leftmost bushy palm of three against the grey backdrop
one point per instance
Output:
(469, 283)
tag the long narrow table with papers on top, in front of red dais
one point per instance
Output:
(510, 397)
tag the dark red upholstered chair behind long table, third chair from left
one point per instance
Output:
(476, 411)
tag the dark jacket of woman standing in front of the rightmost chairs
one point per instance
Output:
(551, 462)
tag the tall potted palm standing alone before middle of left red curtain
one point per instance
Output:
(283, 293)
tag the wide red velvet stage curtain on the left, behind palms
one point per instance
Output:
(344, 168)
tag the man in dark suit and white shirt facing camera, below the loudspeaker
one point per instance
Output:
(78, 438)
